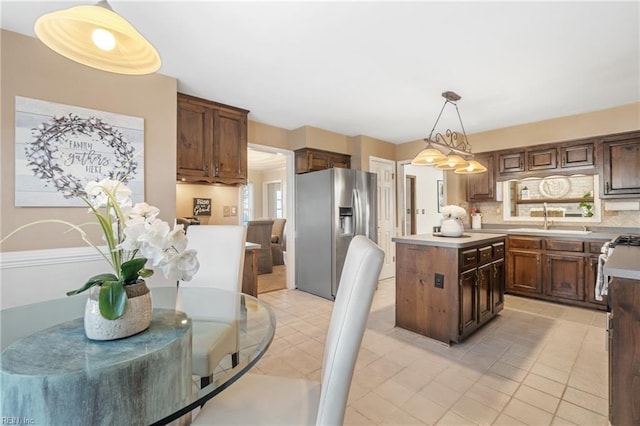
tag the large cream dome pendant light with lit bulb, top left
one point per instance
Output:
(96, 36)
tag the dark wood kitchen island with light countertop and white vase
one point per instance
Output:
(446, 287)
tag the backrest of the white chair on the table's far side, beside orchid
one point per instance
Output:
(221, 251)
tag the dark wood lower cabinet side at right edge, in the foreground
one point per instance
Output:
(624, 352)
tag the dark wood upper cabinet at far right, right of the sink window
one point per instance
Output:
(621, 167)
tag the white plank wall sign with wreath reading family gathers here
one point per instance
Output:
(59, 148)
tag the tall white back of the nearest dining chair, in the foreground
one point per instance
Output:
(348, 320)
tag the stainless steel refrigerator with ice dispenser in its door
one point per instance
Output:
(332, 206)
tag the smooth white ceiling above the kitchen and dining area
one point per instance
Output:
(379, 68)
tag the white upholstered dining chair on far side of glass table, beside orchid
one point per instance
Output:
(221, 251)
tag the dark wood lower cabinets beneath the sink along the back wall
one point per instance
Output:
(554, 269)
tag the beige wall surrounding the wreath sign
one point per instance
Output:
(32, 70)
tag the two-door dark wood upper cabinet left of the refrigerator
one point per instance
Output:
(211, 142)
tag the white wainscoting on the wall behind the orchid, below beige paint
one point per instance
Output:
(38, 275)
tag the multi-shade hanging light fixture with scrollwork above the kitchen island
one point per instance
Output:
(459, 157)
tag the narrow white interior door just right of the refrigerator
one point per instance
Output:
(385, 169)
